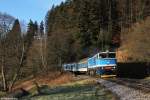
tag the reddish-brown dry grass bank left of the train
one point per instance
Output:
(52, 79)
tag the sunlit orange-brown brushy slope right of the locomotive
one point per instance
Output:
(136, 43)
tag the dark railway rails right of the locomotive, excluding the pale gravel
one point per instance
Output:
(137, 84)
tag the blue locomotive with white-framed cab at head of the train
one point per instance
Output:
(103, 64)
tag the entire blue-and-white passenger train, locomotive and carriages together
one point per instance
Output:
(102, 64)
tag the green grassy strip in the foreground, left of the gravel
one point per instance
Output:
(79, 90)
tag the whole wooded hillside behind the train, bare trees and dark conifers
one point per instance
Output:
(73, 30)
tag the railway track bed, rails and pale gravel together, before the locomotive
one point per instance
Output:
(127, 89)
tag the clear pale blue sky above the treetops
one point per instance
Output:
(27, 9)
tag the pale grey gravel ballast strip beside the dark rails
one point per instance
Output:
(124, 92)
